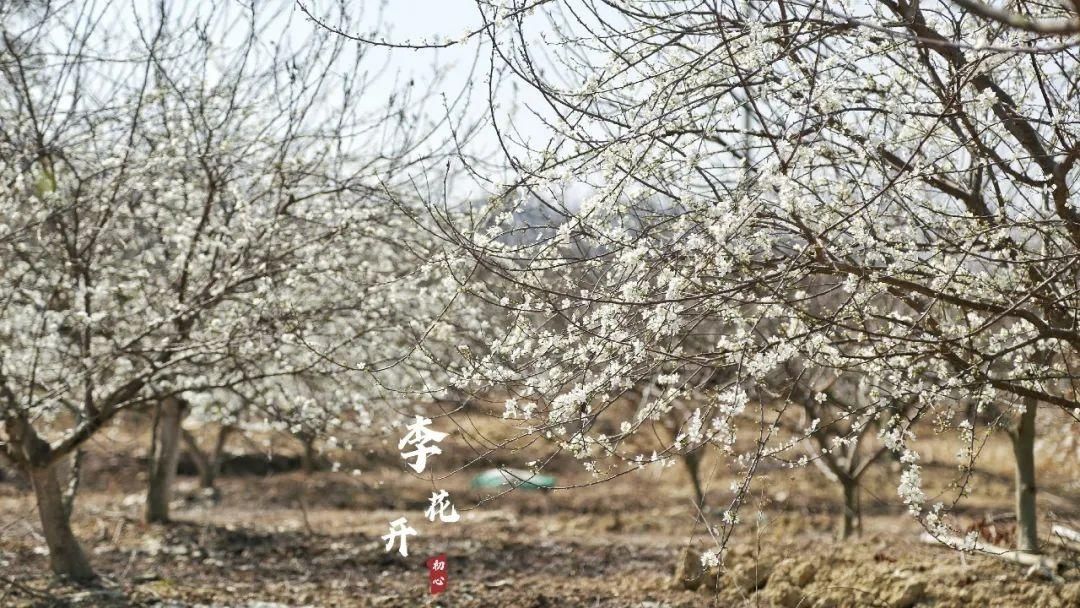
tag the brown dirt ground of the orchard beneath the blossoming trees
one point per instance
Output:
(293, 539)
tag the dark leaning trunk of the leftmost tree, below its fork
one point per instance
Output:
(66, 557)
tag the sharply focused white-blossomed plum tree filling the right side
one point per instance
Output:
(902, 173)
